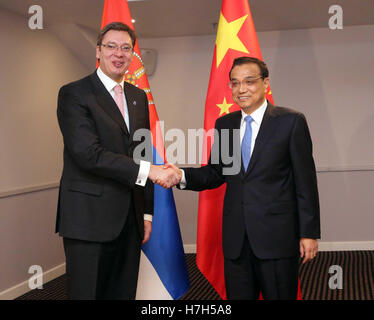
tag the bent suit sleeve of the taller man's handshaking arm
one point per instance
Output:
(83, 143)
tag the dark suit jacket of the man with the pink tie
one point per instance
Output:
(98, 179)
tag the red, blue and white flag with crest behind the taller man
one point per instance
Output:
(163, 270)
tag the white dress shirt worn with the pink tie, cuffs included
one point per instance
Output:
(145, 166)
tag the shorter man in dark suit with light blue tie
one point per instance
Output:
(271, 206)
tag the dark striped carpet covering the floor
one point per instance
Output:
(357, 279)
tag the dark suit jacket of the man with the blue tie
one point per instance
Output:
(276, 200)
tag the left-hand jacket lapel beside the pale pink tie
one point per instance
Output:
(107, 103)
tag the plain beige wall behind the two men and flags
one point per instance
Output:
(325, 74)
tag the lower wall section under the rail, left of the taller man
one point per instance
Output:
(27, 236)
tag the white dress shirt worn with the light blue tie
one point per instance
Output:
(257, 117)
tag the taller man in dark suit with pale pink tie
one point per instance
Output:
(106, 200)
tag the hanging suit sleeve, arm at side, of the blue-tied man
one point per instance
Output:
(305, 178)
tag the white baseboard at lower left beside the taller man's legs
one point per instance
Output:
(23, 287)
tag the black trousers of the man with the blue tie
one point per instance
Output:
(247, 276)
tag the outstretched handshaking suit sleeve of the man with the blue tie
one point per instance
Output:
(209, 176)
